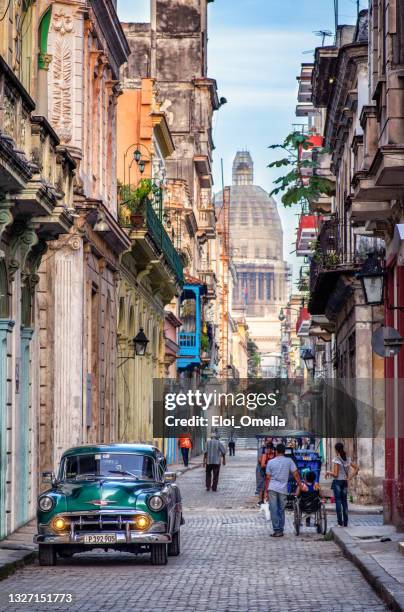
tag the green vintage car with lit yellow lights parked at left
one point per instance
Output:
(115, 496)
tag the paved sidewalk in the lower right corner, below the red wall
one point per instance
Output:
(381, 562)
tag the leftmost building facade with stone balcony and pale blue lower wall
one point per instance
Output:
(36, 188)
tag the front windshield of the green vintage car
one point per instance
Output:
(107, 465)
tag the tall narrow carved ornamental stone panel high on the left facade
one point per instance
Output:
(62, 90)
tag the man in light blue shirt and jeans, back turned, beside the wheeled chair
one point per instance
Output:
(277, 477)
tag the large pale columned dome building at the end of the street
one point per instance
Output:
(256, 242)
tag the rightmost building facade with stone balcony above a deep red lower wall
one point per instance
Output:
(378, 198)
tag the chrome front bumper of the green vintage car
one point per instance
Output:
(121, 538)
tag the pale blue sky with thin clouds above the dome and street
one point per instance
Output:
(255, 50)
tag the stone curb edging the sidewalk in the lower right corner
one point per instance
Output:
(390, 591)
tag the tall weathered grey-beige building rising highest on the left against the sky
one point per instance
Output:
(172, 50)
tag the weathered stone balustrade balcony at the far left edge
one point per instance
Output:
(36, 174)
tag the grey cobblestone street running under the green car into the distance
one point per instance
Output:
(228, 563)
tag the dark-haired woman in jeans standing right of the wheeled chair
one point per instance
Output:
(343, 471)
